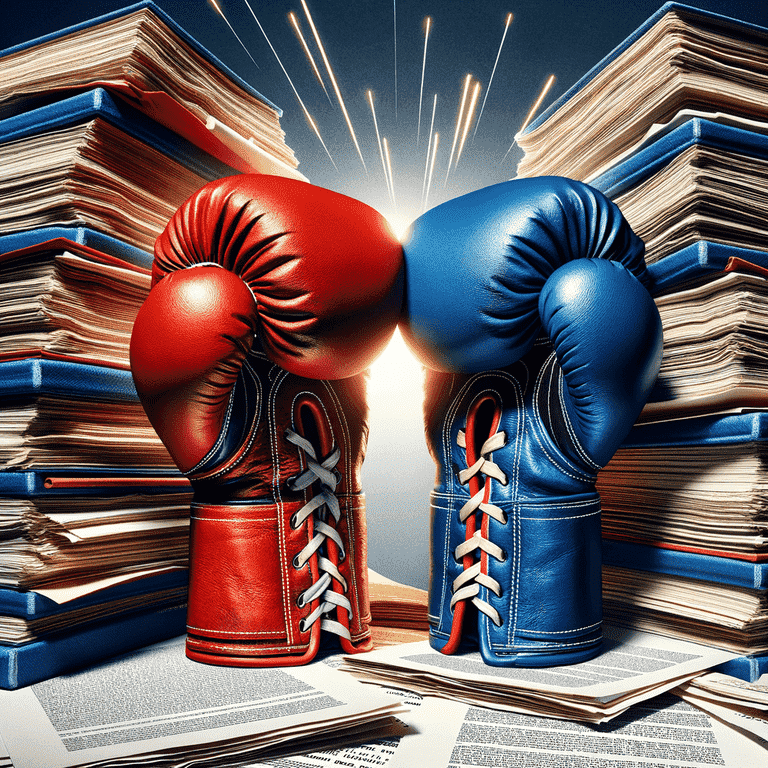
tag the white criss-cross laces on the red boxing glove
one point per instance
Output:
(319, 507)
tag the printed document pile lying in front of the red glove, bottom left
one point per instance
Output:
(156, 701)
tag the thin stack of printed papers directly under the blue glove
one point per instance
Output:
(634, 667)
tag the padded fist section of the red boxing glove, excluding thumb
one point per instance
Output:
(325, 269)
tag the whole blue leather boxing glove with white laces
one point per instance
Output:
(526, 303)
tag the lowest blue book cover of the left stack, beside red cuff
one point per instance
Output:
(68, 651)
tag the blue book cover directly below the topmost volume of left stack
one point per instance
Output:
(99, 104)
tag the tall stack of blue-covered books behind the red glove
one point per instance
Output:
(105, 129)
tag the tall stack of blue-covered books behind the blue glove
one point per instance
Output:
(672, 126)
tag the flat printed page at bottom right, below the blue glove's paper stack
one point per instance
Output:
(665, 732)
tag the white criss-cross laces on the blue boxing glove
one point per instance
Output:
(466, 586)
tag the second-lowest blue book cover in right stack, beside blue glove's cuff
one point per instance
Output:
(692, 565)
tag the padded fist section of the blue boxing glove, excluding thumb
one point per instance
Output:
(474, 266)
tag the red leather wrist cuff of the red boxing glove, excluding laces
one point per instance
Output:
(244, 589)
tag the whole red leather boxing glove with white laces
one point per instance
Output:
(270, 297)
